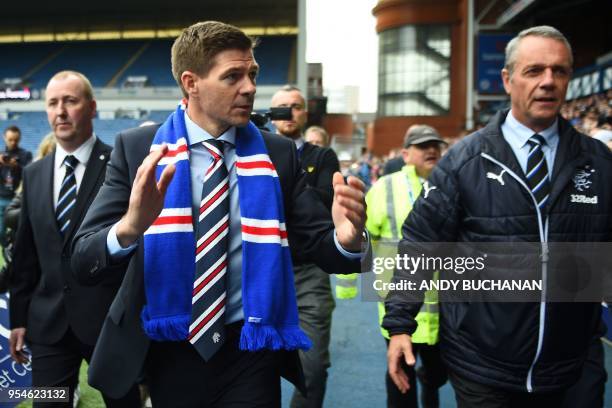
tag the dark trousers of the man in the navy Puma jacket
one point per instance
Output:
(470, 394)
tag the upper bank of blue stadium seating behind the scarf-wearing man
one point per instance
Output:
(100, 61)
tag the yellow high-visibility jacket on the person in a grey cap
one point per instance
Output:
(388, 203)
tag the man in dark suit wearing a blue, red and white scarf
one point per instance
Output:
(146, 227)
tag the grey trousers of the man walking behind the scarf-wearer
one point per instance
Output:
(315, 307)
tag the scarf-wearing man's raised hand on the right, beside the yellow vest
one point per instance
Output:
(349, 211)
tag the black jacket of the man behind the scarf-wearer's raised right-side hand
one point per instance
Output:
(320, 164)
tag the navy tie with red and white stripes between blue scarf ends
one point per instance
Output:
(207, 327)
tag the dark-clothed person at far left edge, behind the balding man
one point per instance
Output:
(12, 161)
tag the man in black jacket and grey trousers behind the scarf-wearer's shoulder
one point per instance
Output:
(312, 285)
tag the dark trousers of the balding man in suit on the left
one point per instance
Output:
(58, 365)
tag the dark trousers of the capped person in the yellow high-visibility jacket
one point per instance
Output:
(431, 374)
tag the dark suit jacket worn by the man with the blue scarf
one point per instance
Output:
(122, 348)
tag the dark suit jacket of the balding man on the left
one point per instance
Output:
(45, 297)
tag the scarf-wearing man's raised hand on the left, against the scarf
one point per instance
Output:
(146, 198)
